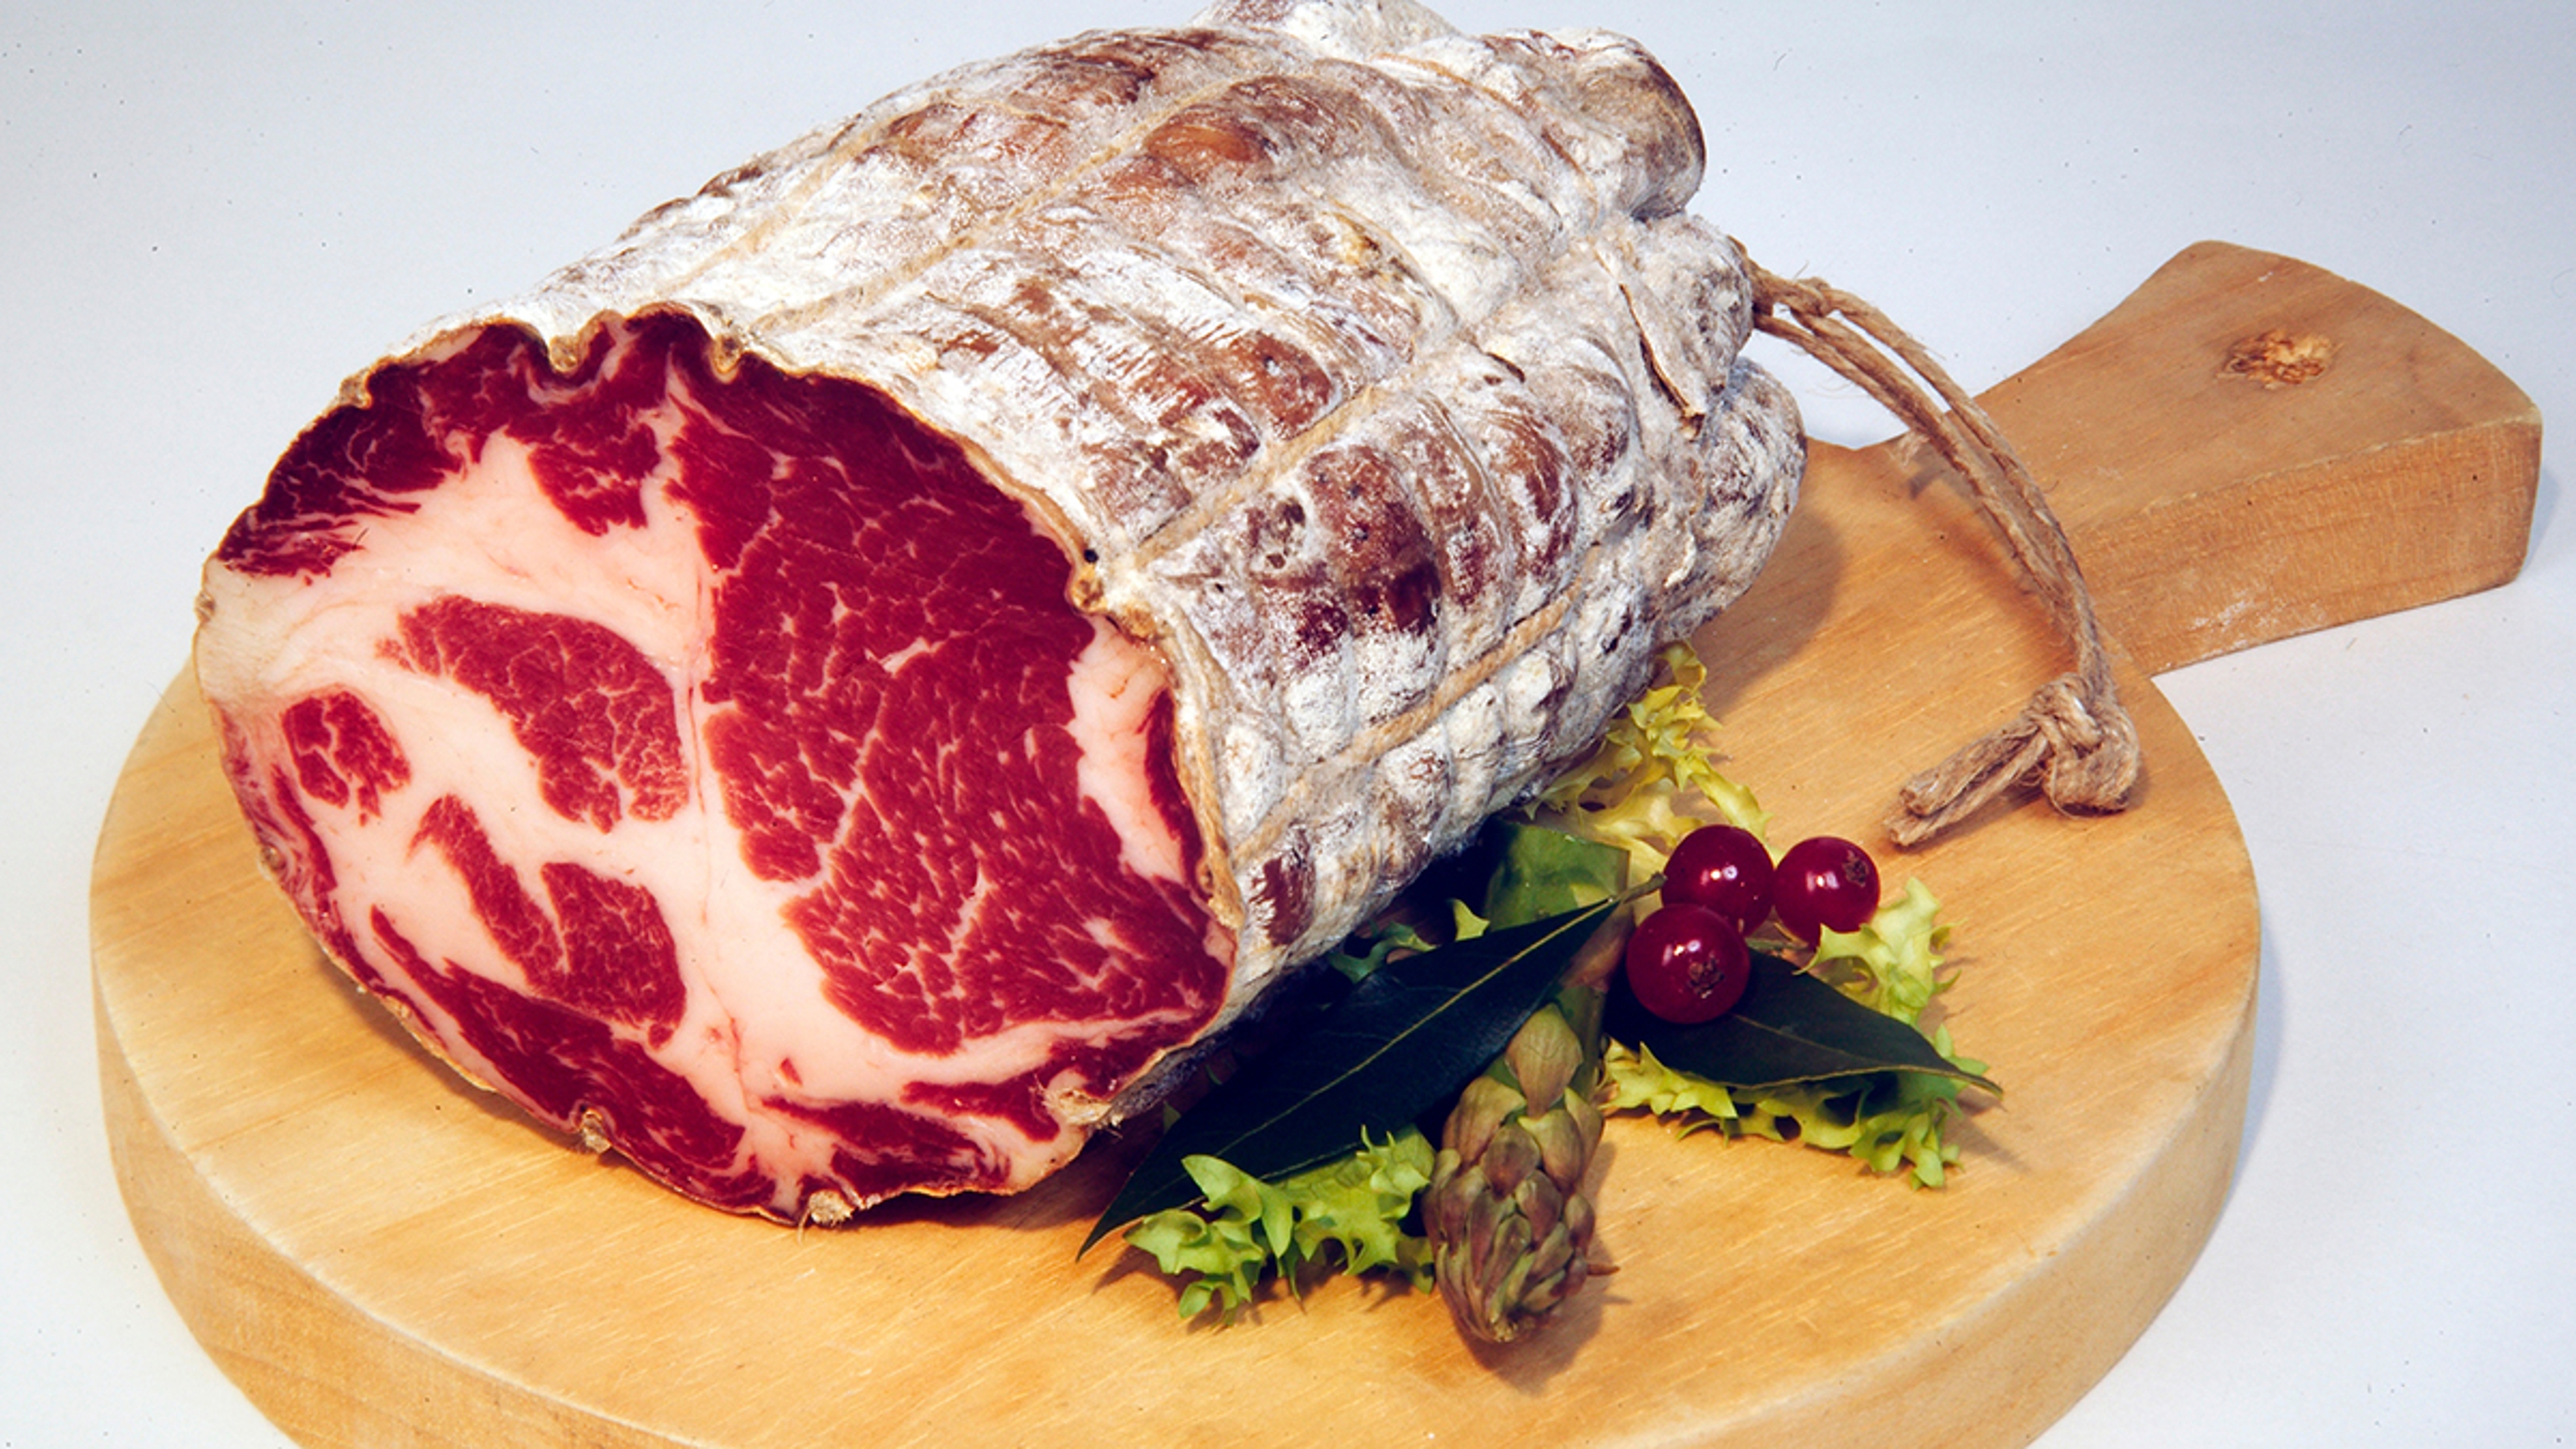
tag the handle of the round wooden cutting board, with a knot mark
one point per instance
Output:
(2253, 447)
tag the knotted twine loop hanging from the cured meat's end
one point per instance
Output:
(2072, 739)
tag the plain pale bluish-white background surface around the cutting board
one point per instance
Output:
(213, 215)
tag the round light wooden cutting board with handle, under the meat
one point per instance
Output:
(385, 1257)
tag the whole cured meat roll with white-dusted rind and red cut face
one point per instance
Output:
(836, 690)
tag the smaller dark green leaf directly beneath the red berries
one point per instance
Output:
(1789, 1030)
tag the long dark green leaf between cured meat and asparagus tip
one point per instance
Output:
(1385, 1056)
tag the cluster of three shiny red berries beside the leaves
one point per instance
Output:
(1689, 960)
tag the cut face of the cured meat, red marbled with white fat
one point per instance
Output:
(717, 767)
